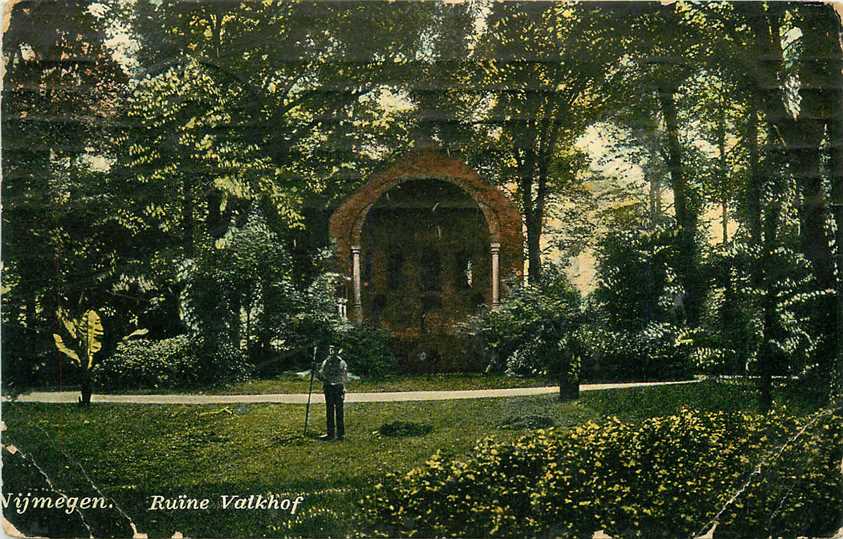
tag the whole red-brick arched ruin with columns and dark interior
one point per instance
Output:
(424, 244)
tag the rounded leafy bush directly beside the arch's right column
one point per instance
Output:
(533, 331)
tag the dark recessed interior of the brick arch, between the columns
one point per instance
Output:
(419, 244)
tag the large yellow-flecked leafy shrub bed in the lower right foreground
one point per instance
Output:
(665, 477)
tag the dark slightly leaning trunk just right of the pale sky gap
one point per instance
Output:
(686, 213)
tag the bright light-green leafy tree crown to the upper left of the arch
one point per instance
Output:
(182, 147)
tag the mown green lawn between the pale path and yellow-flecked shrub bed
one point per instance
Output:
(132, 452)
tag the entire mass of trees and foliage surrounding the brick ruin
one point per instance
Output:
(145, 186)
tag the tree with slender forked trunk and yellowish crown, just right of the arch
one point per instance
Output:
(539, 92)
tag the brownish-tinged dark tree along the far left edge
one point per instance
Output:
(59, 92)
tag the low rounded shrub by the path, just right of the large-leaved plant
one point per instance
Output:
(146, 363)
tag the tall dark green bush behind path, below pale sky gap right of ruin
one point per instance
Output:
(637, 309)
